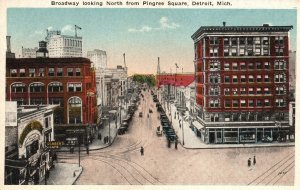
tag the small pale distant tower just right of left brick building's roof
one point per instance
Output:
(98, 58)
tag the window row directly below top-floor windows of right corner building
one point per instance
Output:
(278, 65)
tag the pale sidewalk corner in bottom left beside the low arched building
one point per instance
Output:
(63, 174)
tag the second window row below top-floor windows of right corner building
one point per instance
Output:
(215, 79)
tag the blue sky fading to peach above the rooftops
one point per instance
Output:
(143, 34)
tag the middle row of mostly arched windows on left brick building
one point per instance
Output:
(52, 87)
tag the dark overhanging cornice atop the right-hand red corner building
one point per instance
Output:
(212, 29)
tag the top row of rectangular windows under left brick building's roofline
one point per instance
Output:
(32, 72)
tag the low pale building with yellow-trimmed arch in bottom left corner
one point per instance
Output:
(28, 130)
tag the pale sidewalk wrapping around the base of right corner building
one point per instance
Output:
(191, 141)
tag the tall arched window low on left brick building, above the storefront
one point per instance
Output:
(75, 110)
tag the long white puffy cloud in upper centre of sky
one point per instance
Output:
(164, 25)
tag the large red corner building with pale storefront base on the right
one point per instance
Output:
(242, 83)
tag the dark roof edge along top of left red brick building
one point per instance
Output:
(46, 60)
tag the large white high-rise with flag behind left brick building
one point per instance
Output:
(63, 45)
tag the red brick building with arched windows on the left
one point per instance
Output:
(68, 82)
